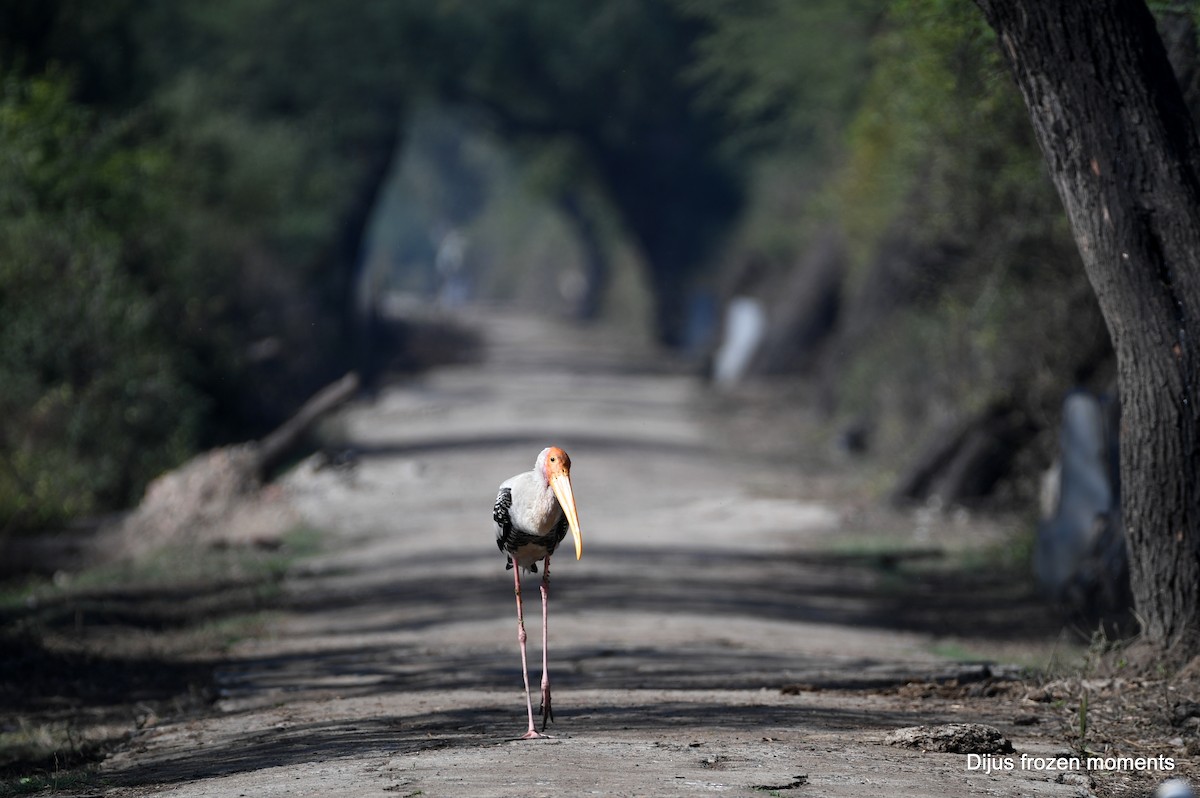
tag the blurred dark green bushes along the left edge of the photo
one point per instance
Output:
(141, 254)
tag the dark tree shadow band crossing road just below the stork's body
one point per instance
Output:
(875, 592)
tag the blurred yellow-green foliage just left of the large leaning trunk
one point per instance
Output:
(898, 124)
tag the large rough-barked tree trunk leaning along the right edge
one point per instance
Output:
(1123, 152)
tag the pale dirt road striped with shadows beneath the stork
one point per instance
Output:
(705, 589)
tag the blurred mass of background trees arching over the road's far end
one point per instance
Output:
(199, 201)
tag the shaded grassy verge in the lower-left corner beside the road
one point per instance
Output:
(93, 657)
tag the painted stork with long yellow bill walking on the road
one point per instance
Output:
(533, 514)
